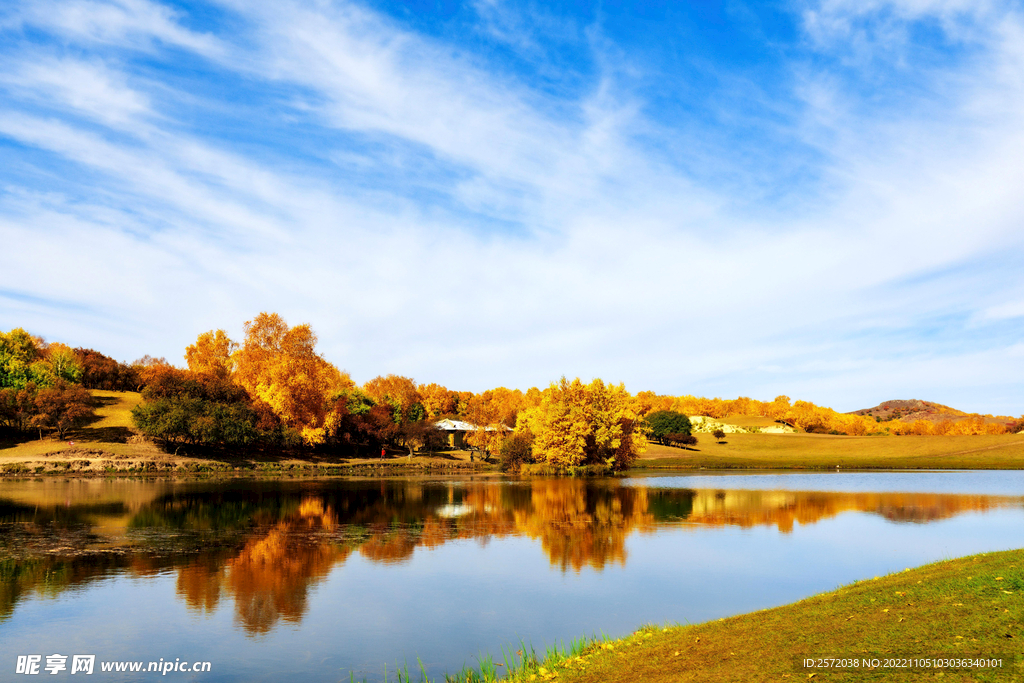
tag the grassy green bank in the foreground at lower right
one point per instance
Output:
(968, 607)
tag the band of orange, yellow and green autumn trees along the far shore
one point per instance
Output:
(274, 390)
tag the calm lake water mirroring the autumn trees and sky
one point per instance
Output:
(314, 580)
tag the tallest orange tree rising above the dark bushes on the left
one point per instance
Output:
(280, 366)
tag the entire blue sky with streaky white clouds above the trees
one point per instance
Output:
(817, 199)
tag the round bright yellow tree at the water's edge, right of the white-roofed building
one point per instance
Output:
(578, 424)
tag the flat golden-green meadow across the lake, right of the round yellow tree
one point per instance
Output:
(828, 452)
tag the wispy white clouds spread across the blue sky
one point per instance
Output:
(616, 264)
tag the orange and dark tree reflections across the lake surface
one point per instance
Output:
(264, 546)
